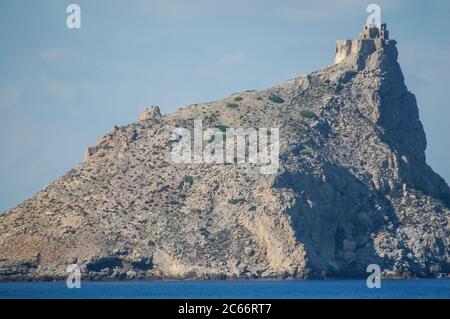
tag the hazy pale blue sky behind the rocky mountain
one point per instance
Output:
(61, 88)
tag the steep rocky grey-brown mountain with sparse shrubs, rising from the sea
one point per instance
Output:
(352, 189)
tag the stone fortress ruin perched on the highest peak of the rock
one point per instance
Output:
(370, 39)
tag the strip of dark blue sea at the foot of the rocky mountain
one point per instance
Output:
(283, 289)
